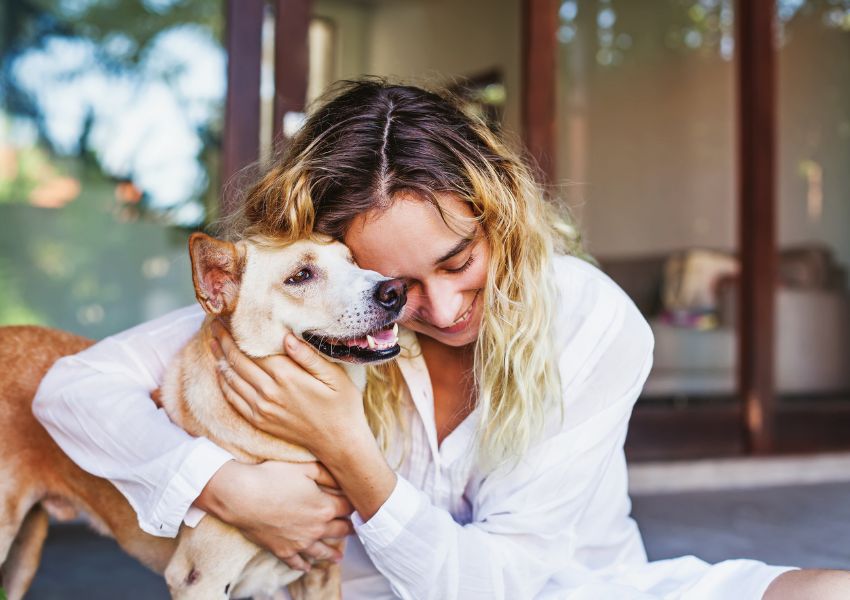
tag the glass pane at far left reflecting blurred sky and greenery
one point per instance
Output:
(111, 120)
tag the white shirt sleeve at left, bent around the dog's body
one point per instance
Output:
(97, 407)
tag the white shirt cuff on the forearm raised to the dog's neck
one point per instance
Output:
(391, 519)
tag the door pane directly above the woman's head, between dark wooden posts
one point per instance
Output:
(473, 44)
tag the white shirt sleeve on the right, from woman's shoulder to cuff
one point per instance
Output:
(522, 541)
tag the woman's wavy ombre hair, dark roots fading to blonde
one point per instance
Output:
(368, 141)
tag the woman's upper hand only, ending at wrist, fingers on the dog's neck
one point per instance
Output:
(301, 397)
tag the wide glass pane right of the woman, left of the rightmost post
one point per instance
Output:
(646, 148)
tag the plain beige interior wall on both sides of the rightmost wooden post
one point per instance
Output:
(648, 145)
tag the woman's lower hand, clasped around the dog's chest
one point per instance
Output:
(287, 508)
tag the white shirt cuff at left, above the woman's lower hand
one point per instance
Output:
(174, 506)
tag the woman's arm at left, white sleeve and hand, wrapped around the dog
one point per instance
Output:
(97, 407)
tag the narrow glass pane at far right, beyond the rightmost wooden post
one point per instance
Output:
(812, 355)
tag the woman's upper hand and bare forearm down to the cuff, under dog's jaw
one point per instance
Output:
(309, 401)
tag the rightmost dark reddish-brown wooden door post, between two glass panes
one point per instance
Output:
(756, 138)
